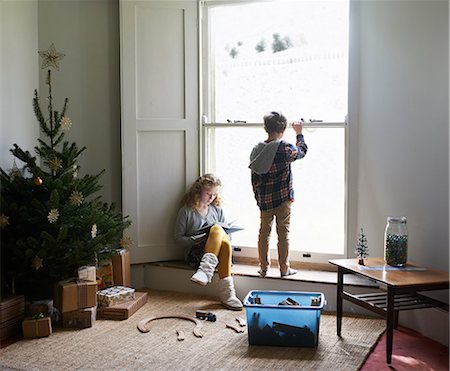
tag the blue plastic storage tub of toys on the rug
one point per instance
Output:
(283, 318)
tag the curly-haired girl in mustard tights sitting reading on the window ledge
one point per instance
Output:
(208, 250)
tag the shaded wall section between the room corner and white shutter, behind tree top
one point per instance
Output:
(88, 33)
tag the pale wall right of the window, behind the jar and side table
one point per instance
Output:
(403, 125)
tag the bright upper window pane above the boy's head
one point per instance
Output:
(289, 56)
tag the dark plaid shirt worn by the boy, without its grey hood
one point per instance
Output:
(275, 187)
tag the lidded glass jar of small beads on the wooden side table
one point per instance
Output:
(396, 241)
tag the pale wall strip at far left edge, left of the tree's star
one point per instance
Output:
(18, 77)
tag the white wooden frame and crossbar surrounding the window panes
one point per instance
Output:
(205, 88)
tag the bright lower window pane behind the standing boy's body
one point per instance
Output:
(318, 213)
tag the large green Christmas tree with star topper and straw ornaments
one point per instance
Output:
(51, 220)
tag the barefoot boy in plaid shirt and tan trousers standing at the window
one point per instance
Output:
(270, 163)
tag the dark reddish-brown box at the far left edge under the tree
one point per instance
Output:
(11, 315)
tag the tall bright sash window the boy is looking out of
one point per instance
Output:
(292, 57)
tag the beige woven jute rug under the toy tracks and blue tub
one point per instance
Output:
(118, 345)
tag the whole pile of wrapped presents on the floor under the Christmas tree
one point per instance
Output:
(77, 301)
